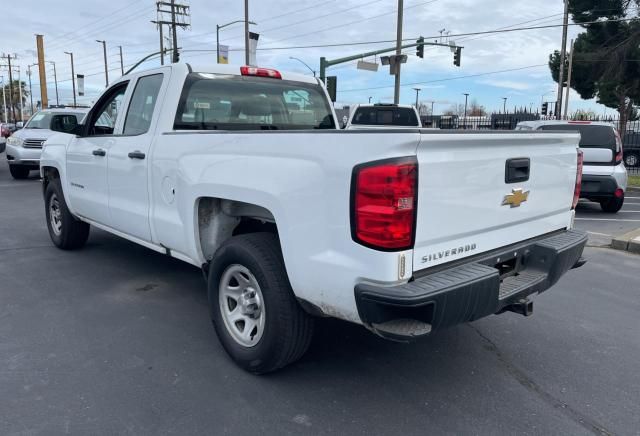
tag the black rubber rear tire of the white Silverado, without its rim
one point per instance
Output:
(288, 329)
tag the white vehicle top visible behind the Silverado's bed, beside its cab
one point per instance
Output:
(383, 116)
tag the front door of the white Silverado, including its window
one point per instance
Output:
(87, 188)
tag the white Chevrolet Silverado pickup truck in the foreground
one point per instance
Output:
(243, 172)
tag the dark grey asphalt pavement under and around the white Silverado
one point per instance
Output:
(115, 339)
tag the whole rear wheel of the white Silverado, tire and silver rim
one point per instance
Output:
(253, 309)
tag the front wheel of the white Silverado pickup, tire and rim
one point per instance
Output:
(67, 233)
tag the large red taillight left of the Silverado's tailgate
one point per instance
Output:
(384, 199)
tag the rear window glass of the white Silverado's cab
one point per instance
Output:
(212, 102)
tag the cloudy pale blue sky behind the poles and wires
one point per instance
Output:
(511, 65)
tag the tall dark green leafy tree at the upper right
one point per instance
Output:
(606, 55)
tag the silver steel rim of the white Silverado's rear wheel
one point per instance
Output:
(242, 305)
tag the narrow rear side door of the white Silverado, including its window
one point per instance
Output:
(129, 158)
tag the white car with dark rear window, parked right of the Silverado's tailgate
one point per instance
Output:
(604, 178)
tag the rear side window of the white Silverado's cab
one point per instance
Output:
(143, 103)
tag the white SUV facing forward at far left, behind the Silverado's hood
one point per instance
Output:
(25, 145)
